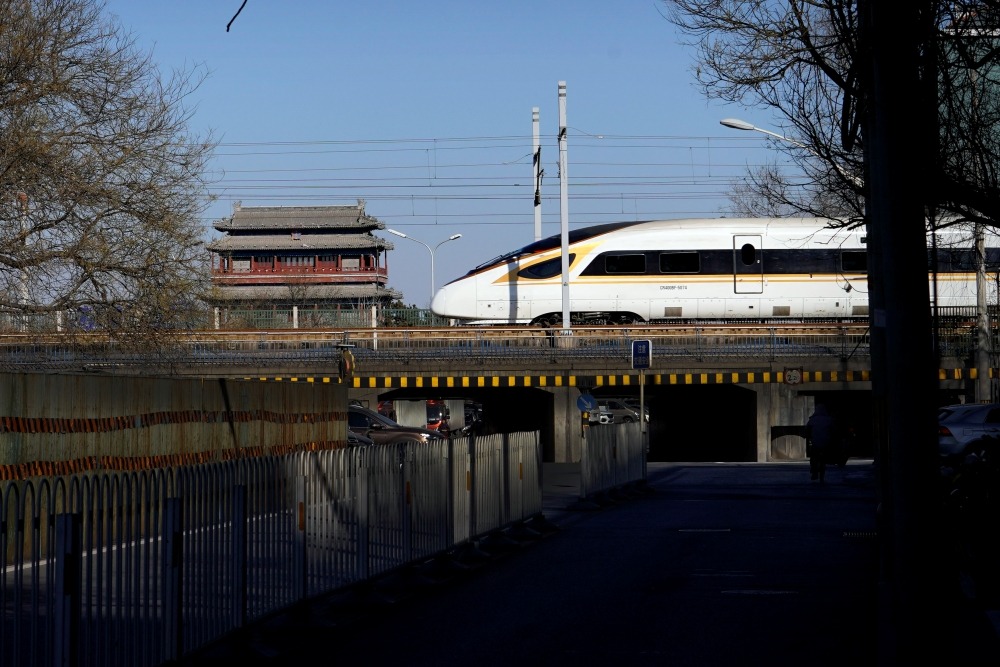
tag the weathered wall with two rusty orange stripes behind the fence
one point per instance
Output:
(87, 421)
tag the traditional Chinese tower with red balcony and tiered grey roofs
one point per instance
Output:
(299, 266)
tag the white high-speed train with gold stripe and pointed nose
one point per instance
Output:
(694, 269)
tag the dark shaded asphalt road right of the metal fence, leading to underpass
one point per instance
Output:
(717, 564)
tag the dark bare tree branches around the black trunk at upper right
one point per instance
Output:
(799, 60)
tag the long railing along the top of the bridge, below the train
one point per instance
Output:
(479, 346)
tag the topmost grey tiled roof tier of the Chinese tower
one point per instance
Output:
(299, 218)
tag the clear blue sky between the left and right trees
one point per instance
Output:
(424, 110)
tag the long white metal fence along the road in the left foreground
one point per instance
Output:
(141, 568)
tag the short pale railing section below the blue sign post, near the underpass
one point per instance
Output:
(613, 456)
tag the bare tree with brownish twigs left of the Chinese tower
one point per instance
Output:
(101, 181)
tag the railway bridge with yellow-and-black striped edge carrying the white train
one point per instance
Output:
(720, 392)
